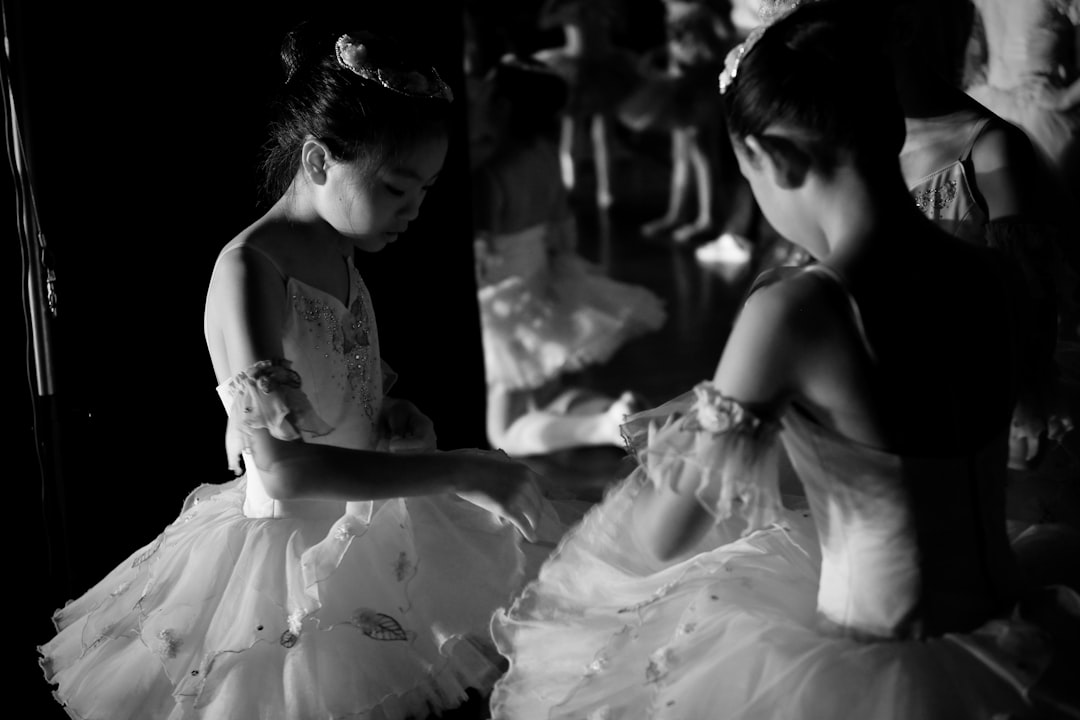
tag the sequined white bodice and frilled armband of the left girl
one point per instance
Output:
(332, 356)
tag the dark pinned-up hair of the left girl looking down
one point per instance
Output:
(357, 119)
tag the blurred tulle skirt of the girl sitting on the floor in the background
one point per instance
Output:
(541, 327)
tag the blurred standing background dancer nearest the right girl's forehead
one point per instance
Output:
(680, 100)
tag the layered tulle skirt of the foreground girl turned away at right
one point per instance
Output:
(732, 632)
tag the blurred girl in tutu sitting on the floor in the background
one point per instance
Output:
(545, 311)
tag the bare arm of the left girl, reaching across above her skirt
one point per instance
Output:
(249, 300)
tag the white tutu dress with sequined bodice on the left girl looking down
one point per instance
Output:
(249, 607)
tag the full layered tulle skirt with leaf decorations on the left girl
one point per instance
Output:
(229, 617)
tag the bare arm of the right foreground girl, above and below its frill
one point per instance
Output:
(758, 370)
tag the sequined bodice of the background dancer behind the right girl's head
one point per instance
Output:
(947, 196)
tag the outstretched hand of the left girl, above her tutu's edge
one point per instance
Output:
(506, 488)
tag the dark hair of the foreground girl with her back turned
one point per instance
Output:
(820, 70)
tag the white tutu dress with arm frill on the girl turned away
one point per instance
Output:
(884, 593)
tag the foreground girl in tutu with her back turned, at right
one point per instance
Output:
(698, 589)
